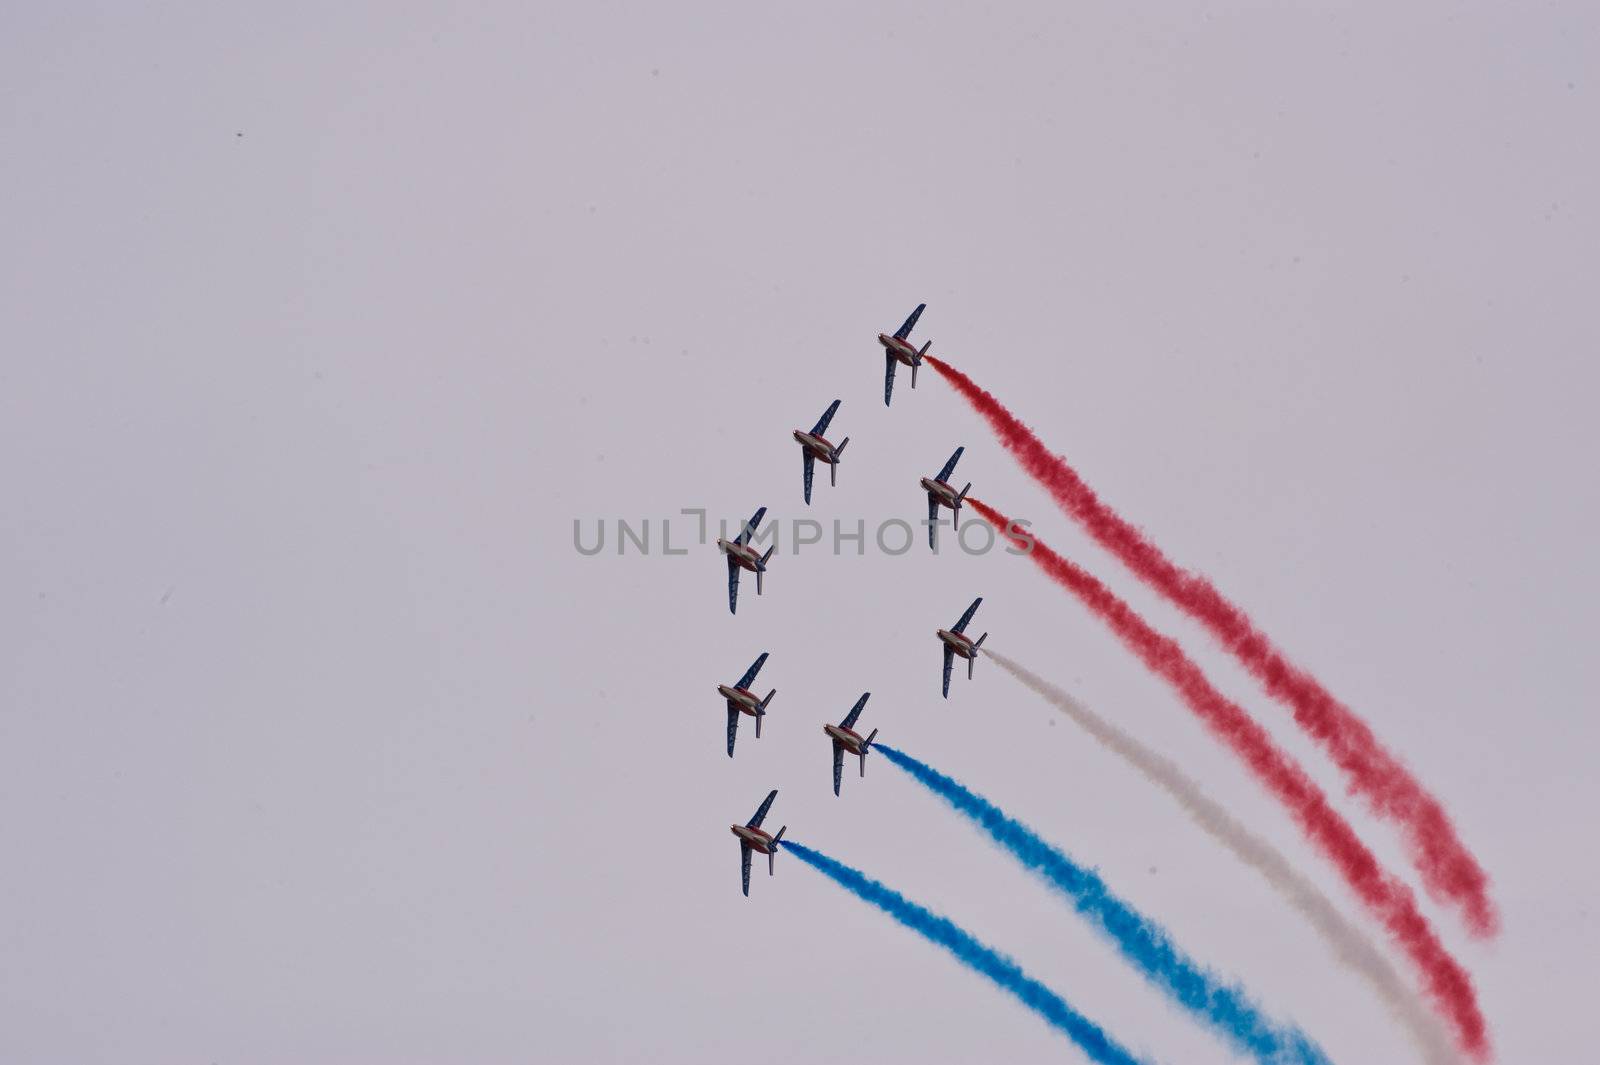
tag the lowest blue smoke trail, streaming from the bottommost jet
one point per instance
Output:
(1006, 973)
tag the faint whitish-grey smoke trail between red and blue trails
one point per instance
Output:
(1351, 947)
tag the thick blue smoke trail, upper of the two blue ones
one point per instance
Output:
(1140, 939)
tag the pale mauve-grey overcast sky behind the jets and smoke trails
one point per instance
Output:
(322, 324)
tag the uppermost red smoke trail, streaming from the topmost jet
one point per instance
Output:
(1447, 868)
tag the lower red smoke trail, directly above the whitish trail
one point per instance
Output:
(1385, 896)
